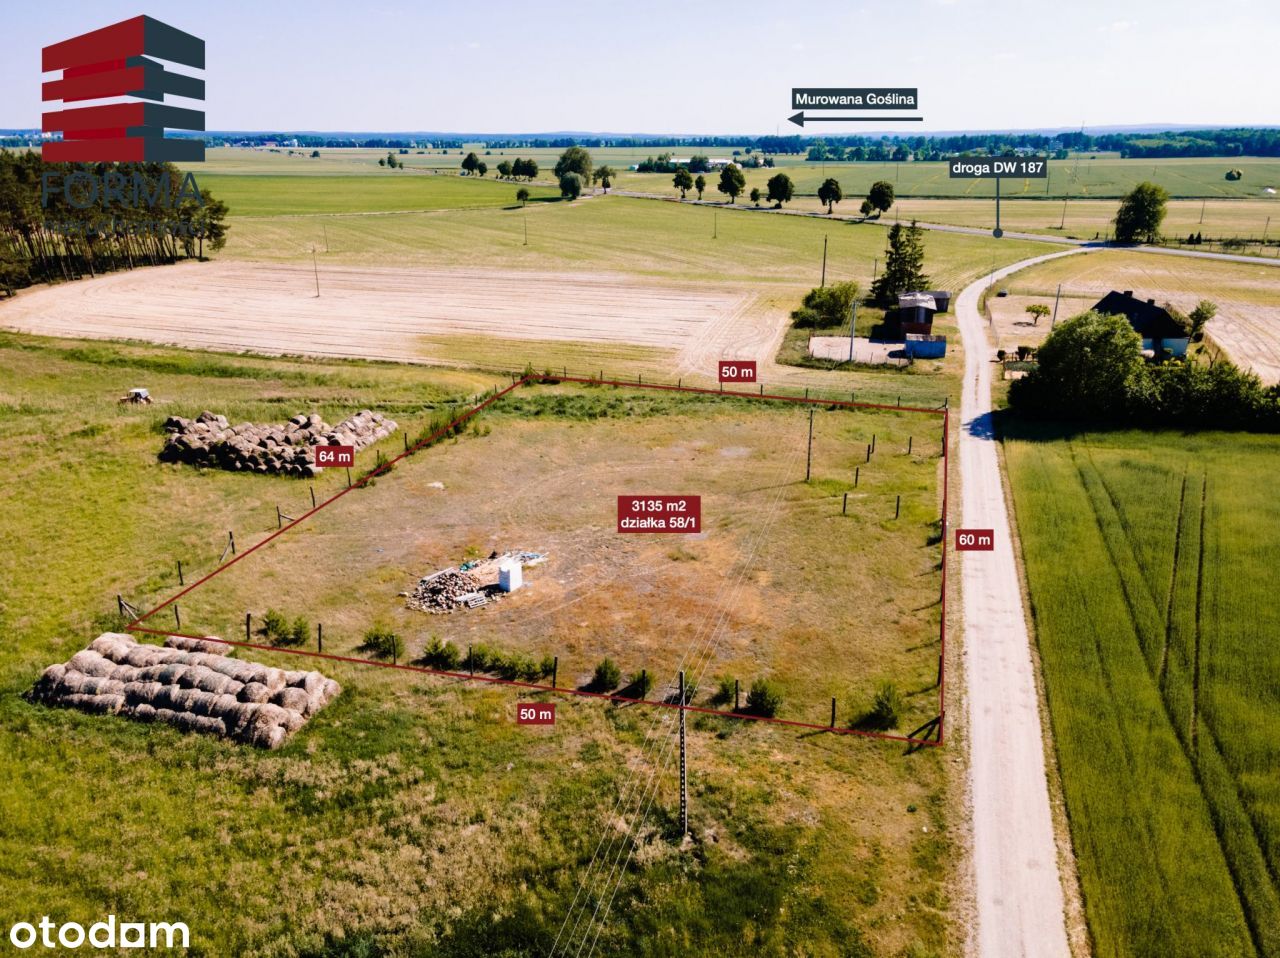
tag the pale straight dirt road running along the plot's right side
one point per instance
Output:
(1021, 904)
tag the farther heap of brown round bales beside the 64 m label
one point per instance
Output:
(209, 440)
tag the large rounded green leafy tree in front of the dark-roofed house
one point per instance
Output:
(1090, 367)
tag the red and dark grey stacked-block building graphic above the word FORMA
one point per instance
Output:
(124, 61)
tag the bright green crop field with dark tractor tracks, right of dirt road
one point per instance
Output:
(1151, 563)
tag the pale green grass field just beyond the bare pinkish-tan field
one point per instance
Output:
(638, 238)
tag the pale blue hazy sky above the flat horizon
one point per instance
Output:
(710, 69)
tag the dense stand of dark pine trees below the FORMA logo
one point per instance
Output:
(51, 234)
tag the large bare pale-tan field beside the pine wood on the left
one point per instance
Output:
(372, 313)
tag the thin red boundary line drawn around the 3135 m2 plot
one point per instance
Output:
(611, 697)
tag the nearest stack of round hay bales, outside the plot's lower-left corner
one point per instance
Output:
(189, 685)
